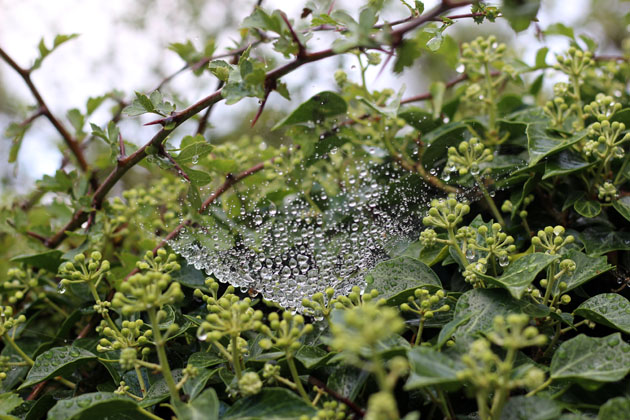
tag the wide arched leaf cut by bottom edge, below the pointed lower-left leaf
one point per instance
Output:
(95, 405)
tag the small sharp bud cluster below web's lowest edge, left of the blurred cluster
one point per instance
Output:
(285, 333)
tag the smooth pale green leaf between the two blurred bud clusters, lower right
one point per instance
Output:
(430, 367)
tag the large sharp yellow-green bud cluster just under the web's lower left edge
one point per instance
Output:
(229, 315)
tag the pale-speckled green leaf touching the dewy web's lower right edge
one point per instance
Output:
(396, 279)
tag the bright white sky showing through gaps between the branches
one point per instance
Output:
(109, 54)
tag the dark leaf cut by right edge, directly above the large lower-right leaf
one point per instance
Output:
(609, 309)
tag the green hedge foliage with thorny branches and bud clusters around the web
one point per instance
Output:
(504, 306)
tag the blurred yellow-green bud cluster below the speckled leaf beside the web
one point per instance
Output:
(364, 326)
